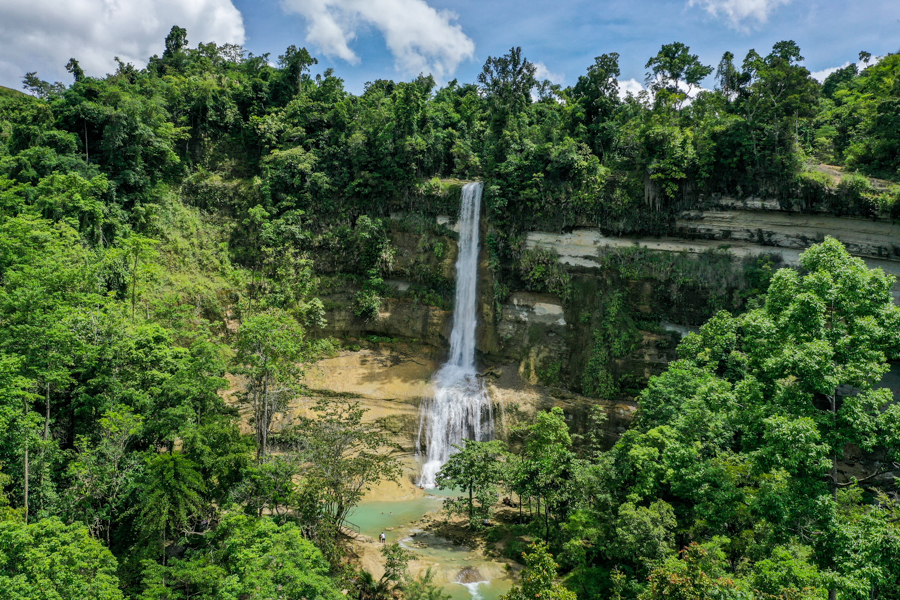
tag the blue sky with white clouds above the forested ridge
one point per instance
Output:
(365, 40)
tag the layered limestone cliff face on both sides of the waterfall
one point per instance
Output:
(621, 323)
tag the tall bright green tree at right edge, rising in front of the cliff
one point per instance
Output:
(835, 327)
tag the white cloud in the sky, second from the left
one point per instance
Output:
(421, 39)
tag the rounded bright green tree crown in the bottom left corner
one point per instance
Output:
(49, 560)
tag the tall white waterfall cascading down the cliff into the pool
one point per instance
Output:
(460, 408)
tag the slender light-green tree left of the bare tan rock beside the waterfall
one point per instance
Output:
(270, 348)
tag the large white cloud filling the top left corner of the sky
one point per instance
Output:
(41, 35)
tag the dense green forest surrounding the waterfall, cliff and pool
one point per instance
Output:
(163, 227)
